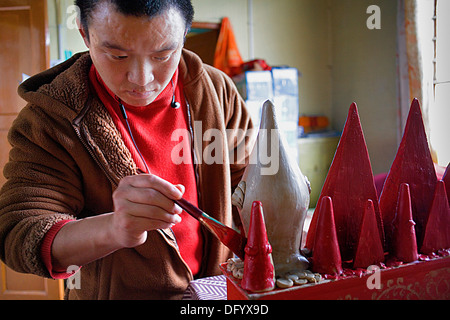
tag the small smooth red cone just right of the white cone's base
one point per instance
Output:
(326, 256)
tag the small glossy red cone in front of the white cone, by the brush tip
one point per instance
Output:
(259, 272)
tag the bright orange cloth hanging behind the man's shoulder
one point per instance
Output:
(227, 57)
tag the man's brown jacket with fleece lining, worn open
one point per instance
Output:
(67, 158)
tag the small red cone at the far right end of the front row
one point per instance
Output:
(437, 232)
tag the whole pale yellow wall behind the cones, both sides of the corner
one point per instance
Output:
(340, 59)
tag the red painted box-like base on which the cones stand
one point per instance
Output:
(421, 280)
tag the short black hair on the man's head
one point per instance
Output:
(138, 8)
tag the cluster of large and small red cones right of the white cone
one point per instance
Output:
(350, 223)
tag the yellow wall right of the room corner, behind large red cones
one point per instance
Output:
(365, 72)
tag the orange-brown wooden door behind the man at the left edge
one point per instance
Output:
(24, 52)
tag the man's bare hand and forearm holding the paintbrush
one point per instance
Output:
(141, 203)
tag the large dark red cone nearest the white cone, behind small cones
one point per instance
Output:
(349, 183)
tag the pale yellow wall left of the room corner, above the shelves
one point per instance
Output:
(285, 32)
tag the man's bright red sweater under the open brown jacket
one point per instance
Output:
(161, 133)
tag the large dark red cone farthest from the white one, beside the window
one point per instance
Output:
(412, 165)
